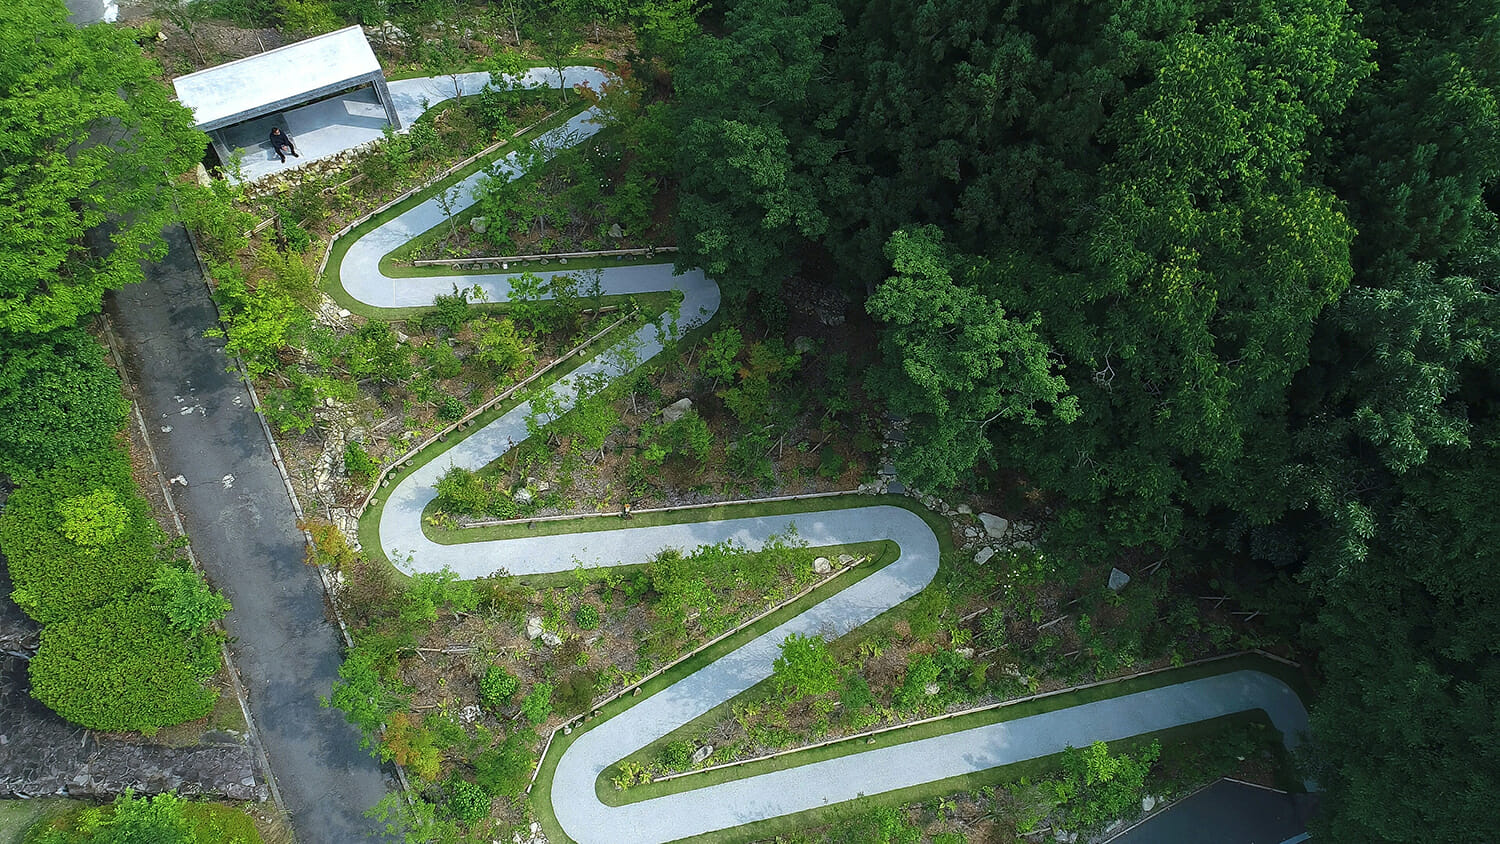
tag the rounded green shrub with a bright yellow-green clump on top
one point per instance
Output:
(79, 537)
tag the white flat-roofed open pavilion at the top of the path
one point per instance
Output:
(238, 104)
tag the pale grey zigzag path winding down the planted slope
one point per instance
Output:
(574, 797)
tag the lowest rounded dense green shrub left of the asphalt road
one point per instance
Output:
(122, 668)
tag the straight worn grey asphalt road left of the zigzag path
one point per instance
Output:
(235, 506)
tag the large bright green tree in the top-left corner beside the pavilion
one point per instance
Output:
(89, 146)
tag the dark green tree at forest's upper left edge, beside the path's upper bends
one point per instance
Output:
(751, 149)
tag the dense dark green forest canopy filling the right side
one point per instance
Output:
(1219, 277)
